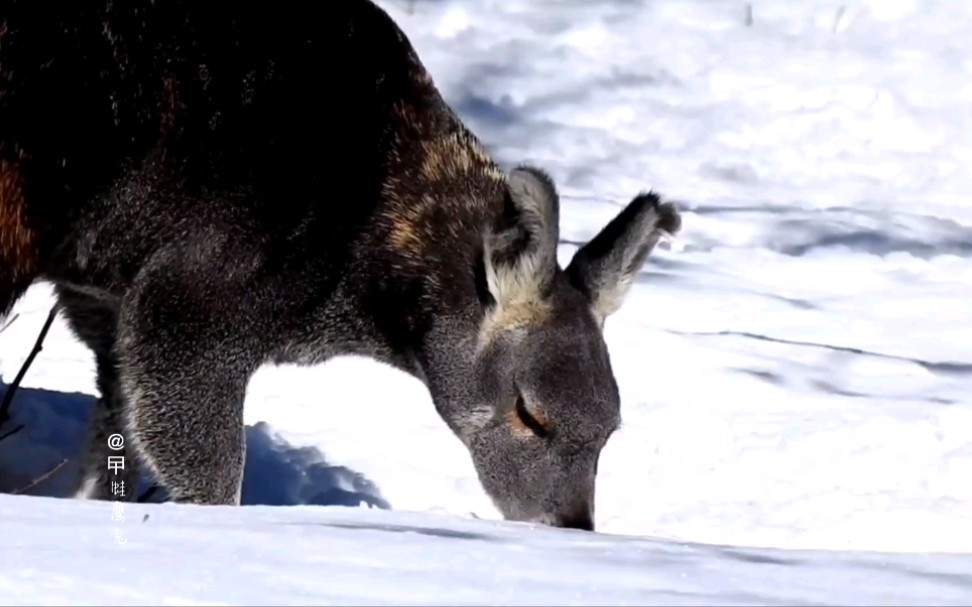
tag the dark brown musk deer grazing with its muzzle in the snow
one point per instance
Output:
(211, 188)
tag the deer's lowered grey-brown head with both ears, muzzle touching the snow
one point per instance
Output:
(542, 401)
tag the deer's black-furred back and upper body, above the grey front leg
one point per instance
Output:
(125, 124)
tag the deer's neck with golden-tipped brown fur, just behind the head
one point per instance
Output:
(441, 195)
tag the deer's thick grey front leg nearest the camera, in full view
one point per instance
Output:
(185, 358)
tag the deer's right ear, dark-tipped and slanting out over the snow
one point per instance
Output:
(604, 268)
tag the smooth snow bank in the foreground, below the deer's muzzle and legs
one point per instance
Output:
(59, 552)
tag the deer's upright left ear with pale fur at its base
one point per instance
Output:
(521, 252)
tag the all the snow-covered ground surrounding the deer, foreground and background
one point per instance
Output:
(798, 377)
